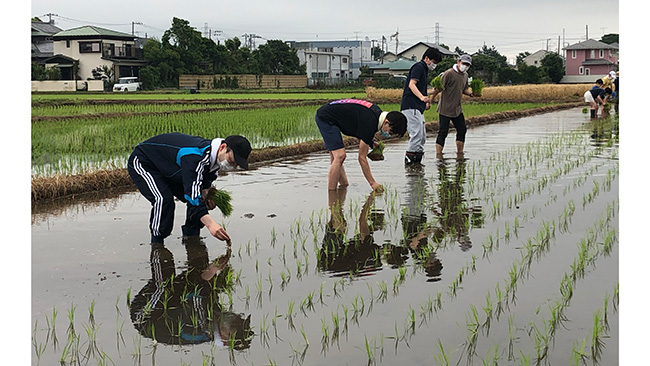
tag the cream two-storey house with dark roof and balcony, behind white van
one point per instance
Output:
(91, 47)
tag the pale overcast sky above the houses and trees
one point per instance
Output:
(512, 26)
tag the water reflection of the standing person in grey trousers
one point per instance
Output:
(415, 227)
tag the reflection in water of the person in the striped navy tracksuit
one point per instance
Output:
(185, 308)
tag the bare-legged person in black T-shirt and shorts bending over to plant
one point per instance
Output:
(360, 119)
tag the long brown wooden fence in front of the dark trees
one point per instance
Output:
(246, 81)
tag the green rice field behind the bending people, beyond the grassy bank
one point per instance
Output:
(75, 138)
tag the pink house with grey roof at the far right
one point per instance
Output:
(588, 60)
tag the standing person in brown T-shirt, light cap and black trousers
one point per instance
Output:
(455, 83)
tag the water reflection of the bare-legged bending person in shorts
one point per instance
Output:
(359, 255)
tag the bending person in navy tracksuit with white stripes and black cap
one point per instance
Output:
(175, 165)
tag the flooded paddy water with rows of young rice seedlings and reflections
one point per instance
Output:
(506, 255)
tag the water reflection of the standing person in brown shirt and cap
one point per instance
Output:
(452, 210)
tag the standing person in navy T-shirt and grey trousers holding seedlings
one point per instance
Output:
(415, 101)
